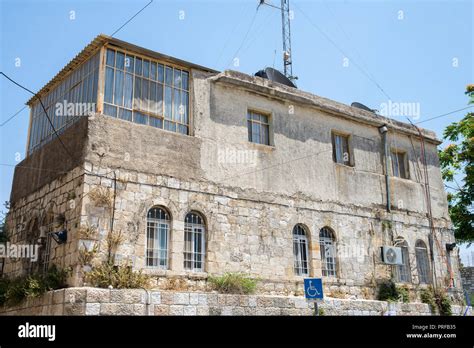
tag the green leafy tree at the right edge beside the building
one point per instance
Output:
(457, 167)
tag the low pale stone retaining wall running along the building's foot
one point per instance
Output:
(94, 301)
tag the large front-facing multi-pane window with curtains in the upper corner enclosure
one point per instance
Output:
(146, 91)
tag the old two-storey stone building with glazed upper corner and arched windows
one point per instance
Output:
(205, 172)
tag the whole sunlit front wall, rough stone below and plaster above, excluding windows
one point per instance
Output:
(251, 205)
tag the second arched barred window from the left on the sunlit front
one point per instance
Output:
(194, 242)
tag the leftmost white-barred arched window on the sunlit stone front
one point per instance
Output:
(158, 233)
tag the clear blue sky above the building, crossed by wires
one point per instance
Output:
(417, 51)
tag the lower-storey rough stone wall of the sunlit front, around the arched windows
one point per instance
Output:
(251, 232)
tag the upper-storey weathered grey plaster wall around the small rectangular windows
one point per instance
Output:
(300, 158)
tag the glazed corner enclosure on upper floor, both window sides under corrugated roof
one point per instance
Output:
(135, 88)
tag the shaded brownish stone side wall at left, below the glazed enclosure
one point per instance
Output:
(32, 216)
